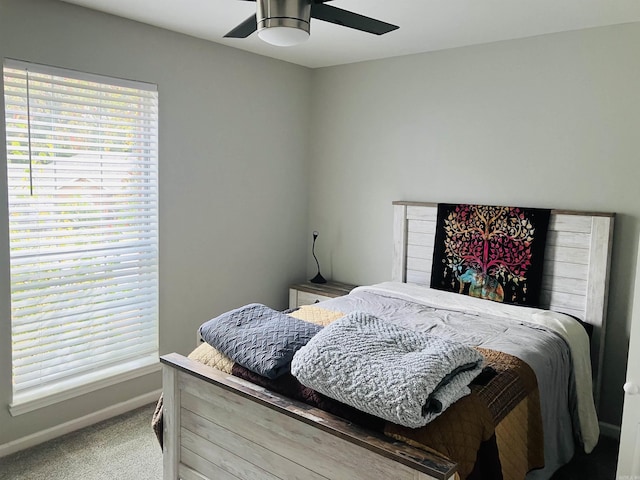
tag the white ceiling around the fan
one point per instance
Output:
(425, 25)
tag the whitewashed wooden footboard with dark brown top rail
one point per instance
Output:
(220, 427)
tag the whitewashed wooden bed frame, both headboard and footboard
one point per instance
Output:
(217, 426)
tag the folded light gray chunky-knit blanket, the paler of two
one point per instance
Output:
(397, 374)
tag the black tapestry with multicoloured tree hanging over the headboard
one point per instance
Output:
(490, 252)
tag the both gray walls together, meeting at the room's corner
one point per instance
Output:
(549, 121)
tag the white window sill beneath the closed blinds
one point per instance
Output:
(34, 400)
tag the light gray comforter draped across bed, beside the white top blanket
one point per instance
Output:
(545, 351)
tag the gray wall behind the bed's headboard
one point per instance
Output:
(551, 121)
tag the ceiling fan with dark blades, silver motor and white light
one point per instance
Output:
(286, 22)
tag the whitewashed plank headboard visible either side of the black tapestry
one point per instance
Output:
(575, 273)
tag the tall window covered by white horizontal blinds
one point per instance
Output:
(82, 168)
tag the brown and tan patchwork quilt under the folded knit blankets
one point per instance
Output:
(494, 433)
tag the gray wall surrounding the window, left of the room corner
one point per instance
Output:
(233, 197)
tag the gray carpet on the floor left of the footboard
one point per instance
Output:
(121, 448)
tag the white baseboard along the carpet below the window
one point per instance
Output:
(78, 423)
